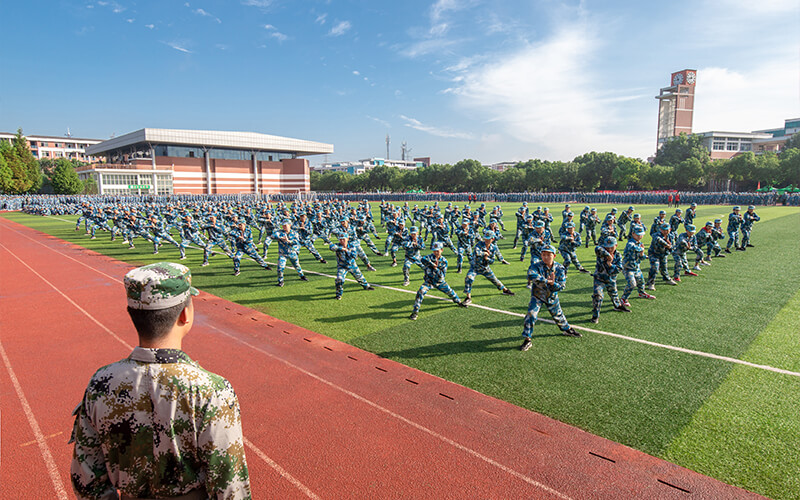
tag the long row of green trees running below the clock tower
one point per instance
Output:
(682, 163)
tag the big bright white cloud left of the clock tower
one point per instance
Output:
(547, 96)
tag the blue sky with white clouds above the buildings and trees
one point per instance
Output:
(490, 80)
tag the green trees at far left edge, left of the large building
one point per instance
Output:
(21, 172)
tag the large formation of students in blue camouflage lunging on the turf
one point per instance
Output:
(229, 227)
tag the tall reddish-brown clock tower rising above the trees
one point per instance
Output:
(676, 105)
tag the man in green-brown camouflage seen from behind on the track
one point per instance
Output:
(156, 424)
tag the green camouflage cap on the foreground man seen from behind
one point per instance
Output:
(158, 286)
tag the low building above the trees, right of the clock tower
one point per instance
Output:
(725, 145)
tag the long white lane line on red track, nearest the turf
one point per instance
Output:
(397, 416)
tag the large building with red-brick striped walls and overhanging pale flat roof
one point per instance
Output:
(167, 161)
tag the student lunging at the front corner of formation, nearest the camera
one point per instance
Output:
(548, 277)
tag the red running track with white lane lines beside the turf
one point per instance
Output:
(321, 419)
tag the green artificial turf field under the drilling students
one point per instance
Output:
(643, 396)
